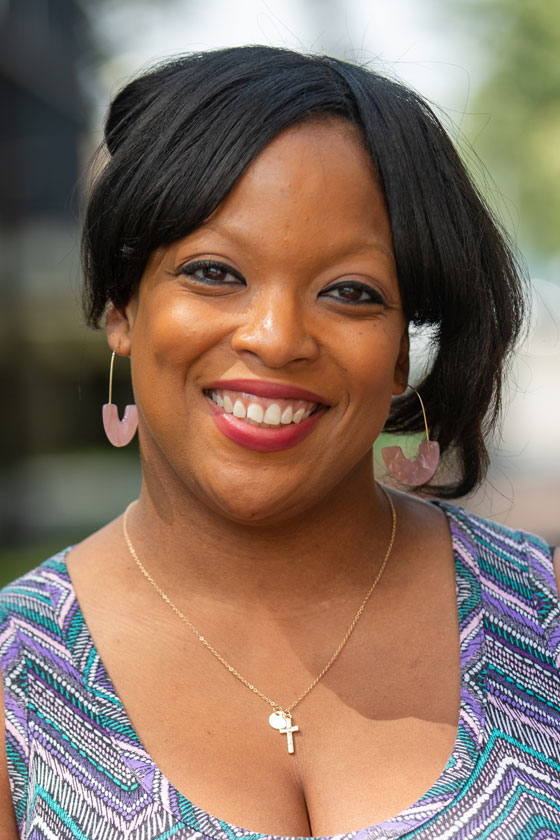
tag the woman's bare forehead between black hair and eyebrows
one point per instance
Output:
(314, 180)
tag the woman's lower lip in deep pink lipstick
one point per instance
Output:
(263, 439)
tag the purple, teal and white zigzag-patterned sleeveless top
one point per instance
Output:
(78, 769)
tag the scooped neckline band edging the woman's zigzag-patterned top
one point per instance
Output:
(438, 797)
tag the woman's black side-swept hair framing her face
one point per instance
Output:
(182, 134)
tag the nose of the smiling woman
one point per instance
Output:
(277, 329)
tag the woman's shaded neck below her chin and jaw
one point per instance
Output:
(331, 550)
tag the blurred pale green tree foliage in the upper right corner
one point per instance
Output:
(514, 119)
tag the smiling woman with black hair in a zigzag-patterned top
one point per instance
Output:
(267, 631)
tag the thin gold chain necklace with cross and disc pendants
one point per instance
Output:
(281, 717)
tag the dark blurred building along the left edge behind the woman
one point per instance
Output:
(42, 341)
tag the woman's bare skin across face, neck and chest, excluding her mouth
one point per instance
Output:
(270, 554)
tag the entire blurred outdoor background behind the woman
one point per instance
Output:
(491, 69)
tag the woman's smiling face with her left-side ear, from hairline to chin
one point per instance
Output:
(267, 344)
